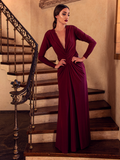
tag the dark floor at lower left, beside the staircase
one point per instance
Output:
(6, 133)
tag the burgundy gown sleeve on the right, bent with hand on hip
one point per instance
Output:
(84, 37)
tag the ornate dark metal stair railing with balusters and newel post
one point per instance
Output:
(19, 97)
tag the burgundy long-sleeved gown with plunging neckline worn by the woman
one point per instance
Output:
(73, 129)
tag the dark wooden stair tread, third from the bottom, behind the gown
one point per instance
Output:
(93, 105)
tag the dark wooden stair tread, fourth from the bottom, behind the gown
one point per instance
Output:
(48, 95)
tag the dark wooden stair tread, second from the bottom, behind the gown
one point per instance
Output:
(96, 124)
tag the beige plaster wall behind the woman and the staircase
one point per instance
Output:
(94, 17)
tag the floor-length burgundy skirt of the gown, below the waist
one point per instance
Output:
(73, 128)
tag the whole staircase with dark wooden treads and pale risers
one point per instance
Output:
(42, 131)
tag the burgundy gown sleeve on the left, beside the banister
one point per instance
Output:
(44, 47)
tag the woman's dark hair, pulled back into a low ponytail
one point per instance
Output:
(57, 10)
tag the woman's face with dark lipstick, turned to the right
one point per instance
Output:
(63, 16)
